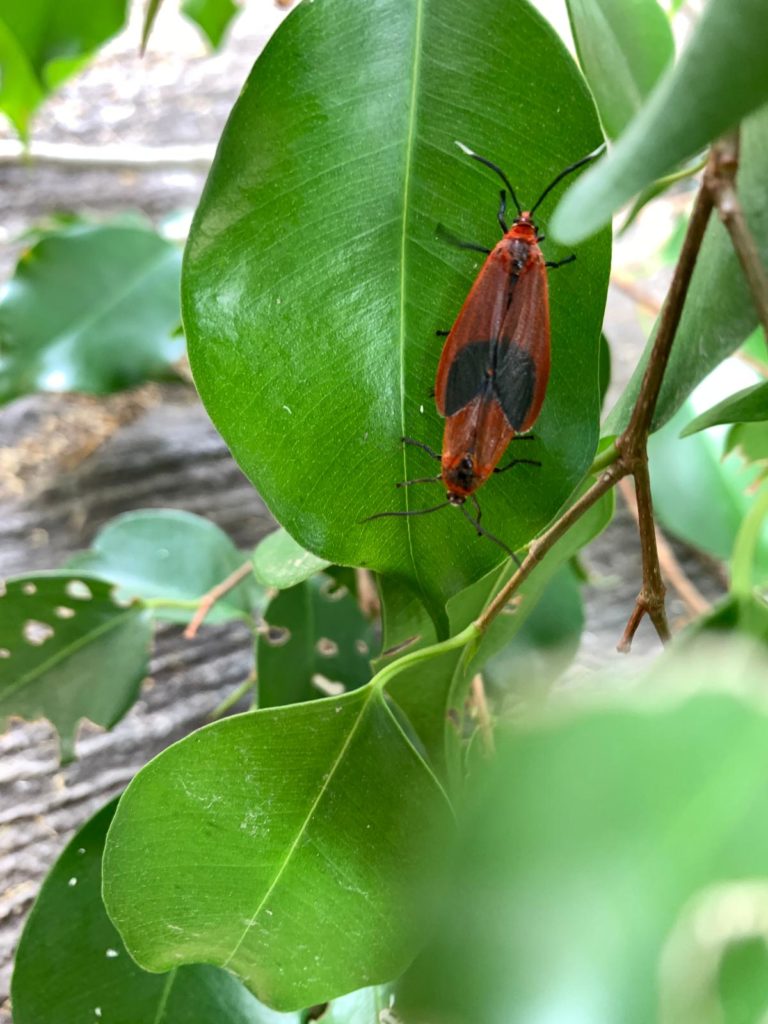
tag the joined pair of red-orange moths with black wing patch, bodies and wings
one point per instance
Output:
(493, 374)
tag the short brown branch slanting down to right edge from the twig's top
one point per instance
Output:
(720, 180)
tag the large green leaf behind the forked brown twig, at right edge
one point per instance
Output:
(719, 313)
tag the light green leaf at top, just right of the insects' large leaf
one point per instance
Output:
(624, 47)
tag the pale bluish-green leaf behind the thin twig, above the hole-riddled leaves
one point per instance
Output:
(164, 554)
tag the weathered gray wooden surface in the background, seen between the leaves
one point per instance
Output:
(69, 464)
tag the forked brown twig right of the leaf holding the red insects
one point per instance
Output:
(629, 457)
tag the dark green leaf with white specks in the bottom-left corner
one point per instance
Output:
(72, 964)
